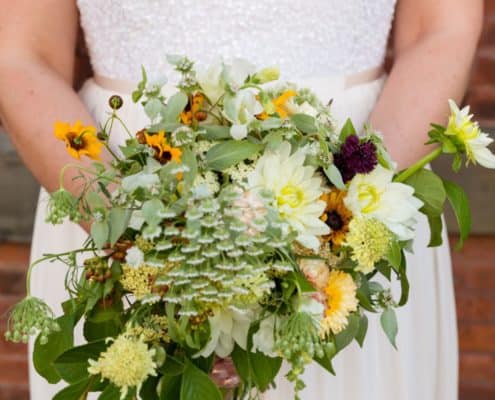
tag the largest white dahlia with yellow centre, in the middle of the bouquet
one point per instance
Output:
(296, 189)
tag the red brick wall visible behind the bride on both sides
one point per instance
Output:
(473, 267)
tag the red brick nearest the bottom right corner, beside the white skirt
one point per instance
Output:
(477, 368)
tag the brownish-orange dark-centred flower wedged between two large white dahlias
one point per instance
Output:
(337, 216)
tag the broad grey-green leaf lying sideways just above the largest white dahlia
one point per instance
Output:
(225, 154)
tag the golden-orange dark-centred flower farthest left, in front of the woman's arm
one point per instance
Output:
(80, 140)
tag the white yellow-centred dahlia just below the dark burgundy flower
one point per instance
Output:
(375, 195)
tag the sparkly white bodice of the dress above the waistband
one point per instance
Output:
(305, 38)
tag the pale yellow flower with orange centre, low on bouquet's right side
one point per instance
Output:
(340, 292)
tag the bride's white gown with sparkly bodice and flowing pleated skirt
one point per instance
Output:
(315, 42)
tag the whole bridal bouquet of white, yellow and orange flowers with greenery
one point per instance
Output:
(238, 227)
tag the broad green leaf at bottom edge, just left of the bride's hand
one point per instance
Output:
(197, 385)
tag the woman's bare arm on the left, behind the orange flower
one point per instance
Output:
(37, 42)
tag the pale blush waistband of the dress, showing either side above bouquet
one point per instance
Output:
(348, 81)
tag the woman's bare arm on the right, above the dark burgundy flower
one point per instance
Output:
(434, 45)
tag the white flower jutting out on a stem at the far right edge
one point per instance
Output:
(469, 134)
